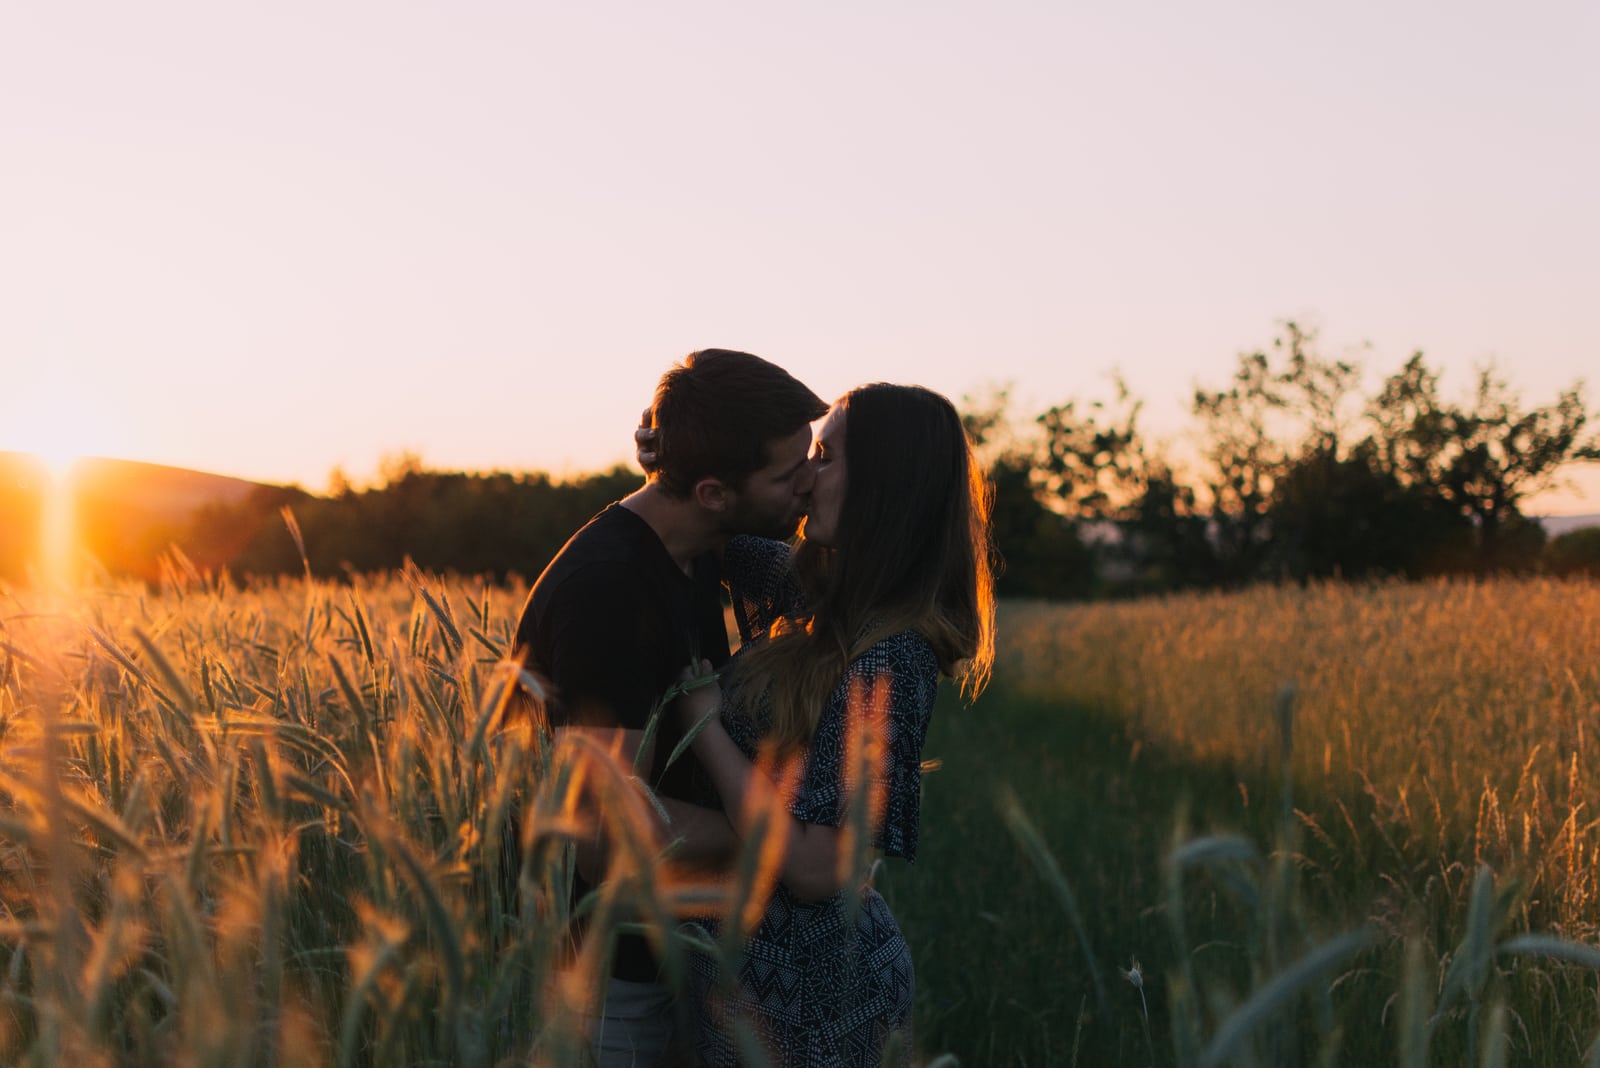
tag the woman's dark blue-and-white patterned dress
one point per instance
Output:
(817, 989)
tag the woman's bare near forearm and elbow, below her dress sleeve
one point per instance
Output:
(810, 866)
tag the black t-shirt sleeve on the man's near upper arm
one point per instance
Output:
(602, 650)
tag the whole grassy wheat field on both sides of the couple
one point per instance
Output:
(1281, 827)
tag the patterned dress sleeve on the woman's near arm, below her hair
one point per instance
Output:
(906, 671)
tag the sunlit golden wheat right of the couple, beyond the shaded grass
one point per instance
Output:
(1462, 714)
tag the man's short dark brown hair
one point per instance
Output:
(716, 413)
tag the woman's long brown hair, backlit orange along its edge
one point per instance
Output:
(913, 552)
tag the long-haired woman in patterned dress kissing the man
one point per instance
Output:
(889, 589)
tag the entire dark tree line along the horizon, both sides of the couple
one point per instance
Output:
(1294, 472)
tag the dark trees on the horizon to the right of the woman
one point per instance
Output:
(1295, 476)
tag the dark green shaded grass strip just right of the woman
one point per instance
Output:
(1002, 978)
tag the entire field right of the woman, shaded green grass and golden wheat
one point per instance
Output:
(1441, 823)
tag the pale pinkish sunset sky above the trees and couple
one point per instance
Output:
(271, 241)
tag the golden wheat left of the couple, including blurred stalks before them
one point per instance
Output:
(276, 827)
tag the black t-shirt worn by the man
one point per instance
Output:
(610, 624)
